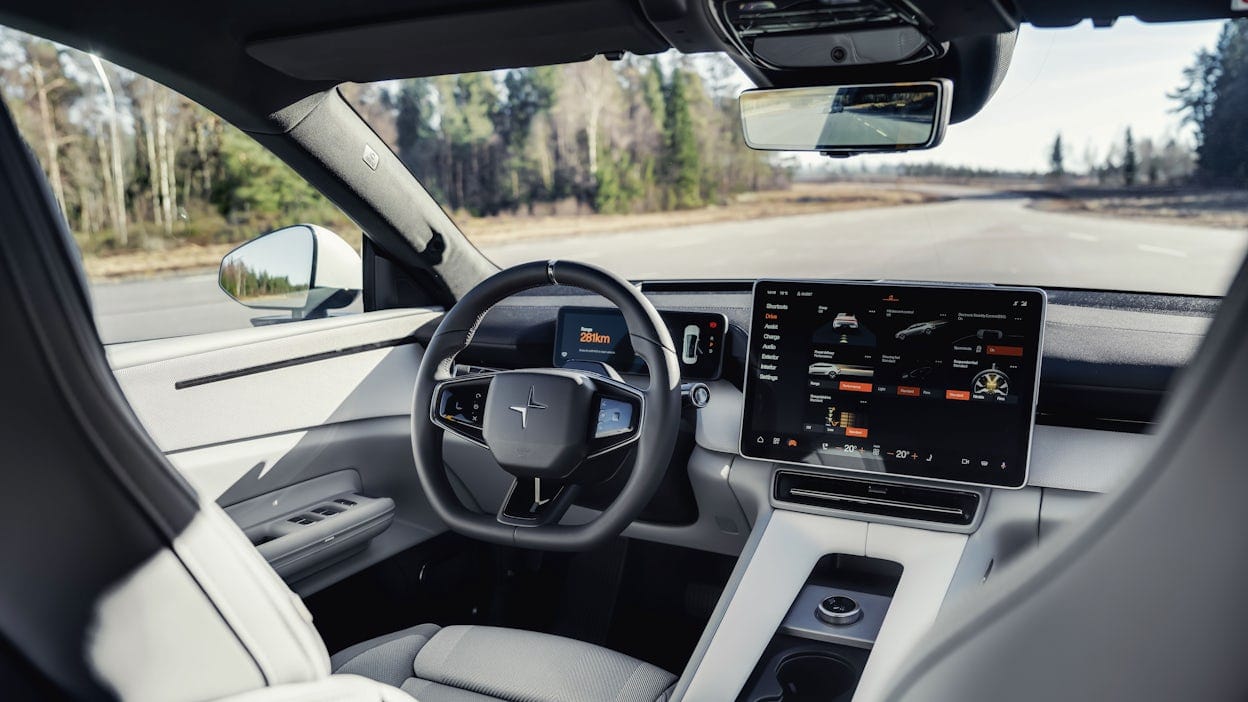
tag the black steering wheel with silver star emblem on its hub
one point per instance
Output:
(551, 429)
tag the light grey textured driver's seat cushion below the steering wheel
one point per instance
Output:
(477, 664)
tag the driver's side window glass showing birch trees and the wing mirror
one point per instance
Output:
(158, 192)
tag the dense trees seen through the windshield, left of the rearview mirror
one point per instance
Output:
(611, 137)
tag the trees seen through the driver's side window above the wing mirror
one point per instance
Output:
(135, 166)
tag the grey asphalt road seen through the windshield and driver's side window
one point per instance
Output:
(982, 237)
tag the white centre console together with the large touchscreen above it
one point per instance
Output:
(882, 417)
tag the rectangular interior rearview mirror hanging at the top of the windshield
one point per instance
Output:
(848, 119)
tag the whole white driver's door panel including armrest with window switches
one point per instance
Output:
(278, 423)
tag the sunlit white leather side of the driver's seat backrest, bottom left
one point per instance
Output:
(205, 620)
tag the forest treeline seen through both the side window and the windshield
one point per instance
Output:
(137, 166)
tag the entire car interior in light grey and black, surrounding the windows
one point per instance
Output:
(548, 483)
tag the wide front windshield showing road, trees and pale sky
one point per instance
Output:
(1101, 163)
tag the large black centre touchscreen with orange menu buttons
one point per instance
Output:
(925, 382)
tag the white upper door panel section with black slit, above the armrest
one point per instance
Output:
(219, 388)
